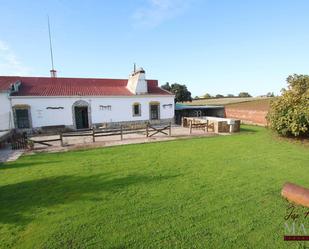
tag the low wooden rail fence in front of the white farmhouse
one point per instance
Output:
(149, 131)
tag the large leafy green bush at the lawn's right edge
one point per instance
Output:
(289, 113)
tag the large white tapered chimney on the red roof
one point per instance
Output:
(137, 83)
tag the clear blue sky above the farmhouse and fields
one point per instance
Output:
(213, 46)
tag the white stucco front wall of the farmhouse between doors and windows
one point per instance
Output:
(121, 109)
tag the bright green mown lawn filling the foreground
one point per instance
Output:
(216, 192)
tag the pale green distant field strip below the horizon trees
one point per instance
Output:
(225, 101)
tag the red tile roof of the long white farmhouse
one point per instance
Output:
(46, 86)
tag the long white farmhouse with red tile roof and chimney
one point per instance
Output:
(78, 103)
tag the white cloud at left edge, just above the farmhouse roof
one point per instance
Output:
(9, 63)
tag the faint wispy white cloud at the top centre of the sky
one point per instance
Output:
(158, 11)
